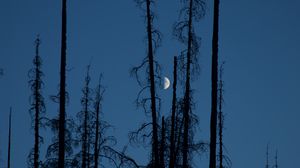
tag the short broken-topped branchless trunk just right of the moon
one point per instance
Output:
(172, 138)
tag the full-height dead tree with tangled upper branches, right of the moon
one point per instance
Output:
(193, 10)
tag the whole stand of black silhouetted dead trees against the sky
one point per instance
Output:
(84, 140)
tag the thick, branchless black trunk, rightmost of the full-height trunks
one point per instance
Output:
(214, 82)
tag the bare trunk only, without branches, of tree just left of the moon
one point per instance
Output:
(152, 87)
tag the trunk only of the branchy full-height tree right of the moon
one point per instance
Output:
(187, 96)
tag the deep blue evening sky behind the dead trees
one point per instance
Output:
(259, 40)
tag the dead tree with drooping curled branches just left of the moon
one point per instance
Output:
(152, 72)
